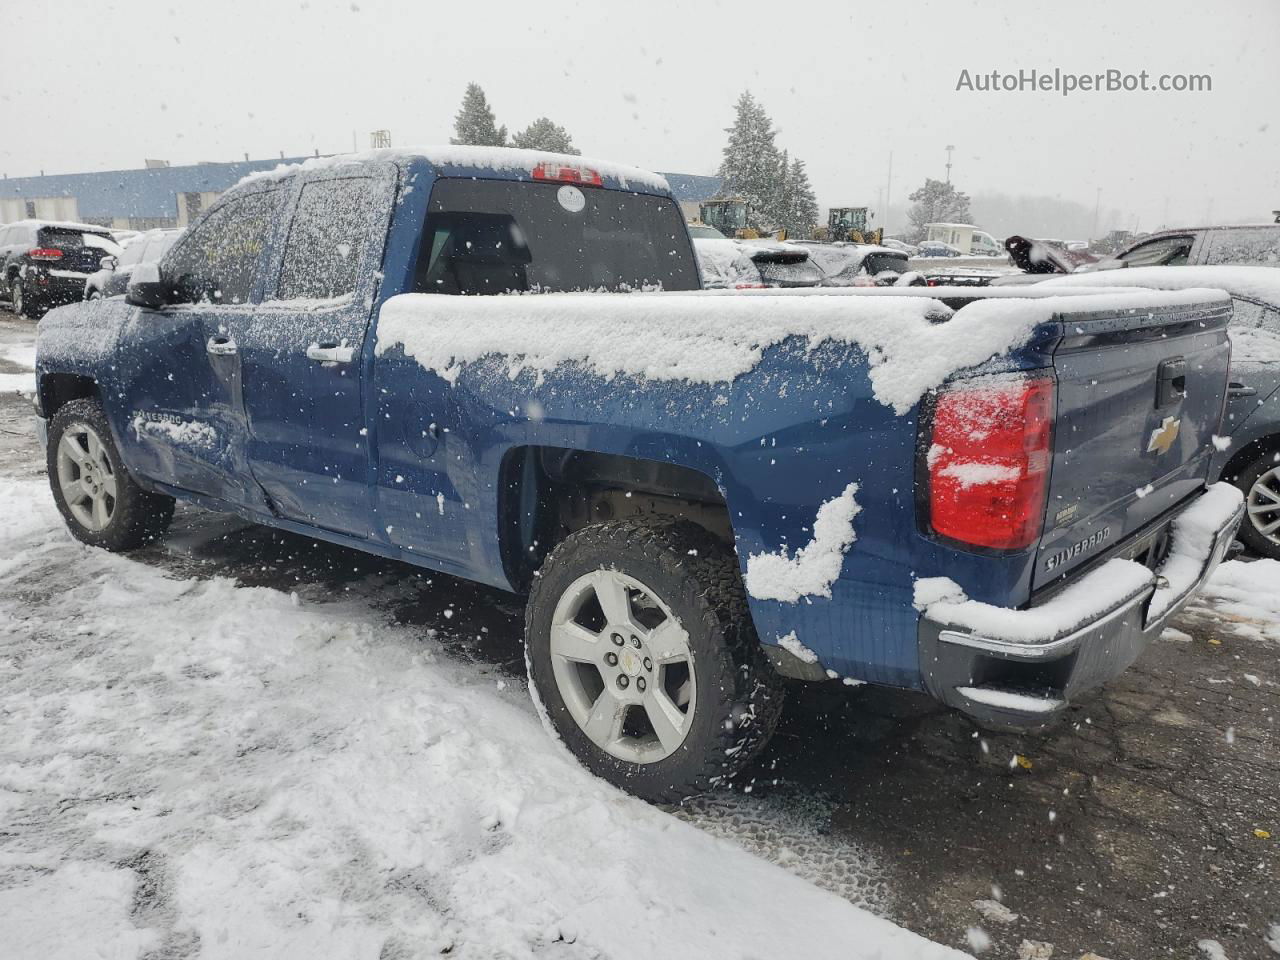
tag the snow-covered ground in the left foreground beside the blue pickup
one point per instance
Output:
(190, 767)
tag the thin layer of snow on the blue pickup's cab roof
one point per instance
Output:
(461, 161)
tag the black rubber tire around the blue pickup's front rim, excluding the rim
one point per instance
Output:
(136, 516)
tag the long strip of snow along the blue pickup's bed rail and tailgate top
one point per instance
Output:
(711, 337)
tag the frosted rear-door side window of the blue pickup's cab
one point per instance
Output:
(328, 239)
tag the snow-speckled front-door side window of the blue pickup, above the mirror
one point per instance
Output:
(221, 262)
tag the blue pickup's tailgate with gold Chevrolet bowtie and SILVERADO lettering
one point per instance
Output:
(1140, 399)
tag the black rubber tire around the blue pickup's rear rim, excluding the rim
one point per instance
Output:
(738, 696)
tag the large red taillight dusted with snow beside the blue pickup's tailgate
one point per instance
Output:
(989, 463)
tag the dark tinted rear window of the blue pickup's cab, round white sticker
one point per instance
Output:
(505, 237)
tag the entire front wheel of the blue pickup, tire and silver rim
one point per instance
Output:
(99, 501)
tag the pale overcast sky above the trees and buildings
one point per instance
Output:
(92, 86)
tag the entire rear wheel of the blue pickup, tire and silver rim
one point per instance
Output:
(642, 652)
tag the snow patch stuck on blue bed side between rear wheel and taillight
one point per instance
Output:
(813, 569)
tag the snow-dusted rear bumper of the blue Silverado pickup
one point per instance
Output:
(1004, 682)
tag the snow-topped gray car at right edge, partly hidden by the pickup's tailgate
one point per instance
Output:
(1251, 460)
